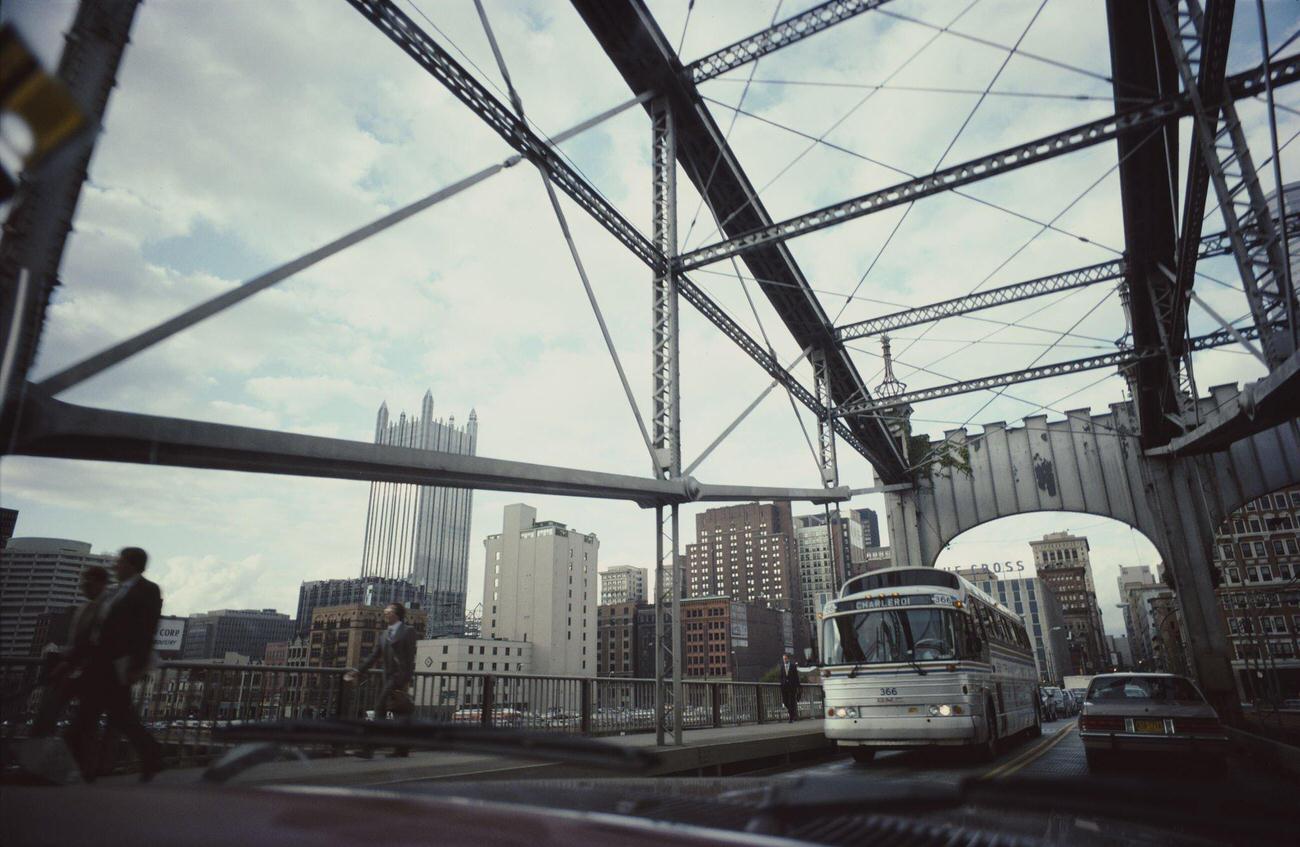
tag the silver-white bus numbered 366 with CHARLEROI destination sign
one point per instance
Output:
(918, 658)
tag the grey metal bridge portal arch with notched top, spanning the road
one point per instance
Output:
(1094, 464)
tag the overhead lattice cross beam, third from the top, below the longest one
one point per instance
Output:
(1215, 245)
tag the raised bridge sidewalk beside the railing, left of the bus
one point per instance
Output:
(704, 753)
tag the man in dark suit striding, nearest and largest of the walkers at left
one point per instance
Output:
(122, 646)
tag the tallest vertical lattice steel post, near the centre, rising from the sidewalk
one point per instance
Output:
(666, 416)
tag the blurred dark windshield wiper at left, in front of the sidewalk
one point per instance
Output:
(419, 735)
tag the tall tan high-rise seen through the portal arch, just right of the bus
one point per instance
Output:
(1063, 563)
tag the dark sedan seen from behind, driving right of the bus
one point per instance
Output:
(1149, 714)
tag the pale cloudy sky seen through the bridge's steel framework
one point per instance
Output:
(244, 134)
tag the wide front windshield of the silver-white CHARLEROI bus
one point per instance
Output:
(891, 636)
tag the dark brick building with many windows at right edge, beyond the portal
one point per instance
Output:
(1258, 557)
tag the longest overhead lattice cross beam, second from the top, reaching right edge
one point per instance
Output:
(1246, 85)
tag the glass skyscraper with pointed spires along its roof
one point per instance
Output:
(422, 533)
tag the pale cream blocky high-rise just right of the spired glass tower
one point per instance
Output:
(540, 588)
